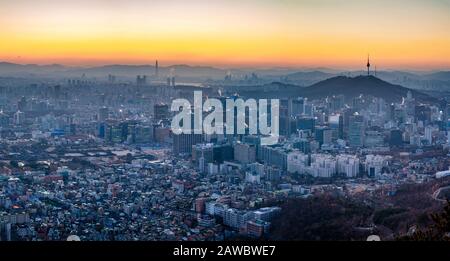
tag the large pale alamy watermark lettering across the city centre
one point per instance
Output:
(190, 117)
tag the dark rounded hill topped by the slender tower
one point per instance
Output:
(348, 86)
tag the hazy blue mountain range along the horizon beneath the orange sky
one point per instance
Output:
(430, 82)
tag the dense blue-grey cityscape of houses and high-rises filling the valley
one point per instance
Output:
(96, 159)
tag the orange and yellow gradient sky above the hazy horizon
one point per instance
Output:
(400, 34)
